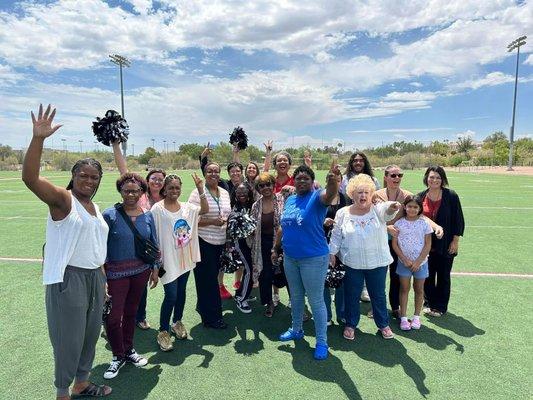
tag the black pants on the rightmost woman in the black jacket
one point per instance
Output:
(438, 285)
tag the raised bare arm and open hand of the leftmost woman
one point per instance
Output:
(57, 198)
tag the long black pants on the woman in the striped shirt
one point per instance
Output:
(209, 305)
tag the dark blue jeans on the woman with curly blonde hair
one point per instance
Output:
(375, 284)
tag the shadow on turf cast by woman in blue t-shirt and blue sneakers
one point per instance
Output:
(329, 370)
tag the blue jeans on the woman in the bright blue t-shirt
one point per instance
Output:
(307, 275)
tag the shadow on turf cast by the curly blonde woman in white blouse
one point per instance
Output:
(387, 353)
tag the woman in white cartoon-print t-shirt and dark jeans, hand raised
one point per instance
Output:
(177, 230)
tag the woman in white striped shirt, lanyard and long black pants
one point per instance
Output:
(212, 233)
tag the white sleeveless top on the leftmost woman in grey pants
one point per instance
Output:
(79, 239)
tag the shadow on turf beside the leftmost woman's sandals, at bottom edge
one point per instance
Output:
(132, 383)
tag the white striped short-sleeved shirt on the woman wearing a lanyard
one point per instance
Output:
(213, 234)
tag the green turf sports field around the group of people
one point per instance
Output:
(482, 349)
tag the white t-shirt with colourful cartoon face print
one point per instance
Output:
(177, 233)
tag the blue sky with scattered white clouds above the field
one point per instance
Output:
(360, 73)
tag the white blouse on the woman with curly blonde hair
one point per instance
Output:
(360, 241)
